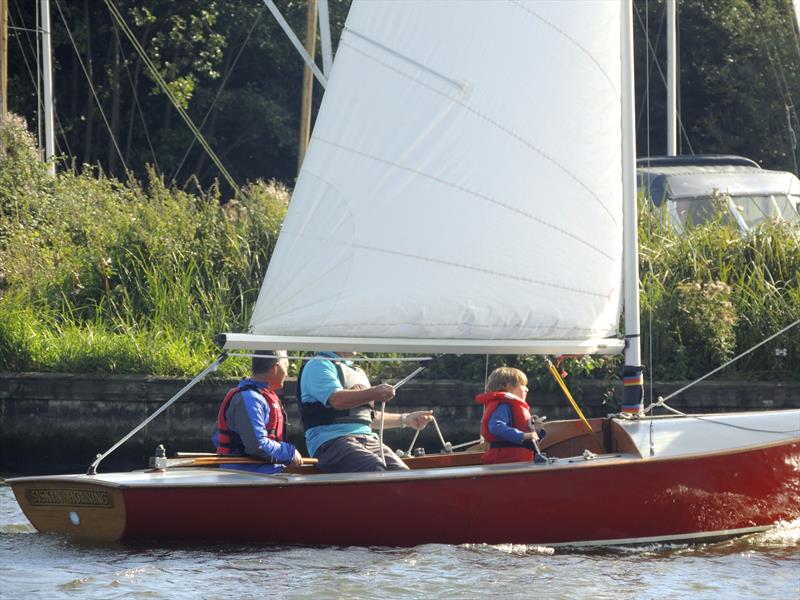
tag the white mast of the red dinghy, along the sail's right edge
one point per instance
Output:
(632, 372)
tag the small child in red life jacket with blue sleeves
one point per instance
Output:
(506, 423)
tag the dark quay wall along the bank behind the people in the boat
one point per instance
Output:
(56, 423)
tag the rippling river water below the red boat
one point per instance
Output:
(32, 565)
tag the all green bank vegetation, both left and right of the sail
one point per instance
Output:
(103, 276)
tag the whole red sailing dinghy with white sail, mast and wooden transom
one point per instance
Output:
(469, 188)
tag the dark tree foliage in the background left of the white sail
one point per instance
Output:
(228, 63)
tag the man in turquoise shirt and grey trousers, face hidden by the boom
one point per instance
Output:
(337, 406)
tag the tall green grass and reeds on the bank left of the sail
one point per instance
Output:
(102, 276)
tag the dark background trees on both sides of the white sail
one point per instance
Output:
(234, 70)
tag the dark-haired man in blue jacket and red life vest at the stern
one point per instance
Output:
(251, 419)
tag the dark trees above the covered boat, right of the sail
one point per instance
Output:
(739, 69)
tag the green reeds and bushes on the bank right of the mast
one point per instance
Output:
(713, 293)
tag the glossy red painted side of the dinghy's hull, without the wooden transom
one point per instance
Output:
(605, 501)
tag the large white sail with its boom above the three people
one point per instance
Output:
(463, 185)
